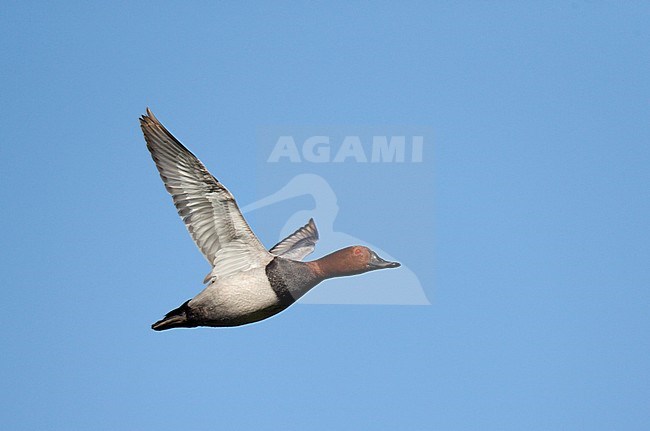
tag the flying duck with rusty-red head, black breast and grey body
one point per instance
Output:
(247, 283)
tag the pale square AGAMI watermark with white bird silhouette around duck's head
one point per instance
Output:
(343, 178)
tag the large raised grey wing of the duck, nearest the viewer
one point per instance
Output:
(207, 208)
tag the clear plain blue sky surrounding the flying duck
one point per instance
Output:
(526, 223)
